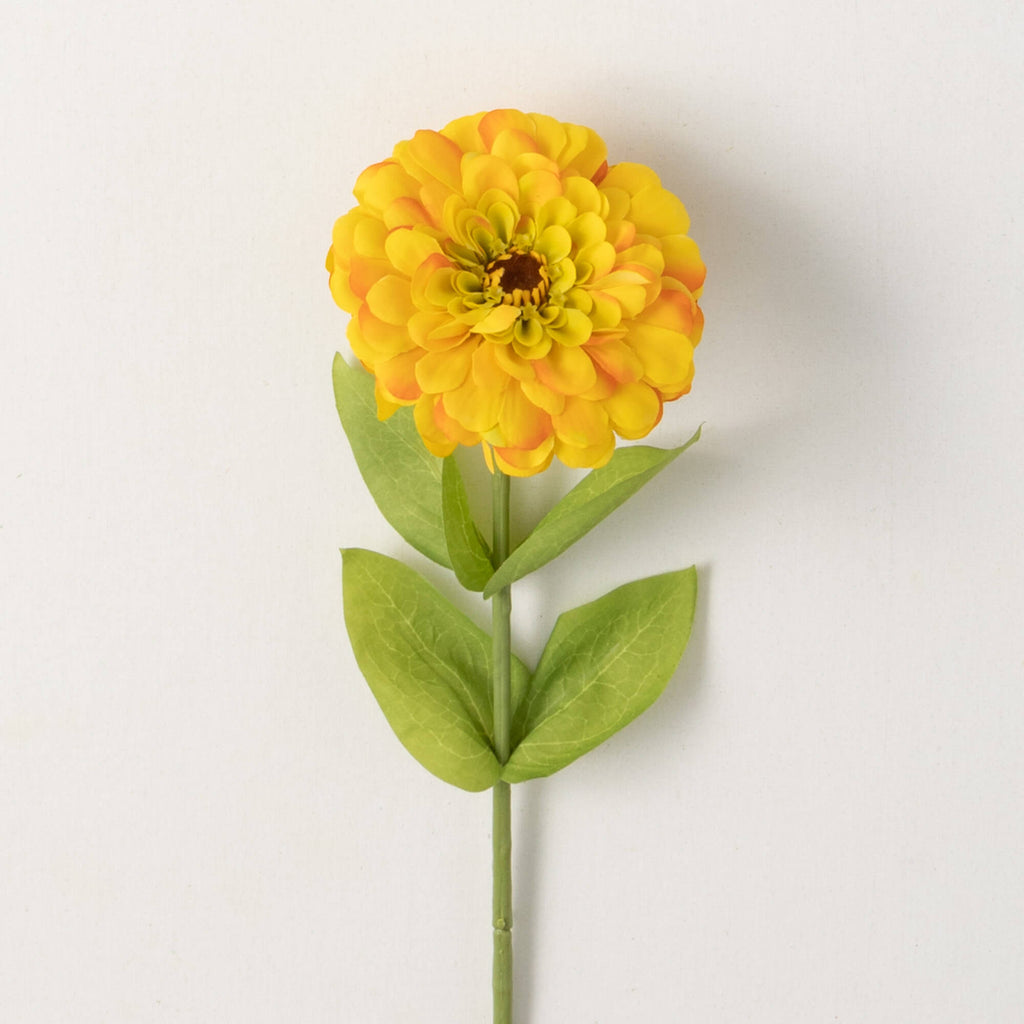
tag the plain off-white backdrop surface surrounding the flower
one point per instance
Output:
(203, 816)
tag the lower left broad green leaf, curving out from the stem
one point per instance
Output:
(429, 667)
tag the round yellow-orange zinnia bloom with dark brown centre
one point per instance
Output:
(519, 292)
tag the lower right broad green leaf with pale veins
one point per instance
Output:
(605, 664)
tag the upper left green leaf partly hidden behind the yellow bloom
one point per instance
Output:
(404, 478)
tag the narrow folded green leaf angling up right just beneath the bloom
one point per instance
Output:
(596, 496)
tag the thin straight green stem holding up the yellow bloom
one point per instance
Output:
(501, 611)
